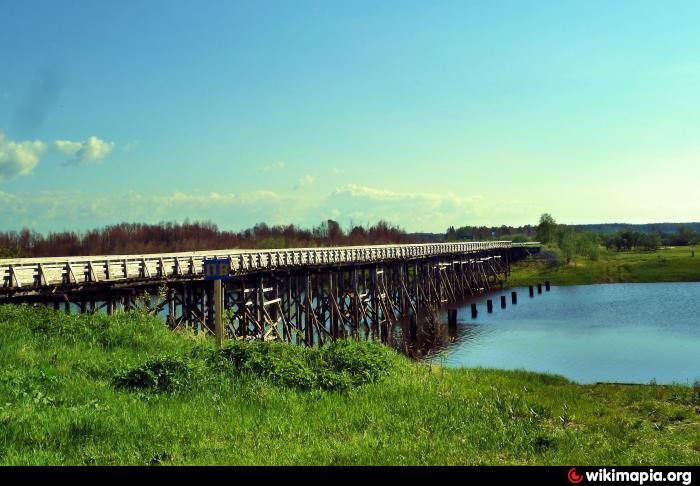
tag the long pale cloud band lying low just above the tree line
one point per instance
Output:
(50, 211)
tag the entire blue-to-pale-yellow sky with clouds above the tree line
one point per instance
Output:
(426, 114)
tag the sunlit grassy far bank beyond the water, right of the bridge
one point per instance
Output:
(663, 265)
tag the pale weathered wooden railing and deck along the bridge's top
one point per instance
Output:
(26, 273)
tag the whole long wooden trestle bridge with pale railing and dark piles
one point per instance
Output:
(299, 294)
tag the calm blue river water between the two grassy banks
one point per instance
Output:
(631, 333)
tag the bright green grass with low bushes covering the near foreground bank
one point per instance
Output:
(94, 389)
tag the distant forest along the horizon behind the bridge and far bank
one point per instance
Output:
(136, 238)
